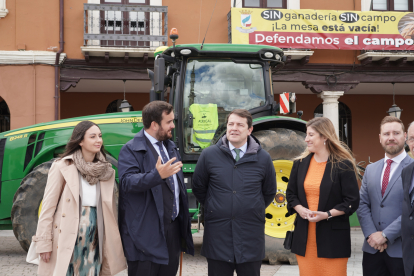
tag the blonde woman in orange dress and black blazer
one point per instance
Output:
(323, 192)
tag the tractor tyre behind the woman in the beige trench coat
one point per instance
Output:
(27, 199)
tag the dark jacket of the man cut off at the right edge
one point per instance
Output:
(407, 221)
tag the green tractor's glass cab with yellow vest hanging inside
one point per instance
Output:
(207, 82)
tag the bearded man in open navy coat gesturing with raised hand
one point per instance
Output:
(154, 220)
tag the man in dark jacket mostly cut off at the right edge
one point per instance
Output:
(407, 217)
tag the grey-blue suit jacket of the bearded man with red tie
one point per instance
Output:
(377, 213)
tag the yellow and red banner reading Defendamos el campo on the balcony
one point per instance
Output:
(323, 29)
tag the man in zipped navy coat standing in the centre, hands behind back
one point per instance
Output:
(235, 181)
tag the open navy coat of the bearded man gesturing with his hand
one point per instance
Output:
(141, 210)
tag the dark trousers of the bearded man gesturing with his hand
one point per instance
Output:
(147, 268)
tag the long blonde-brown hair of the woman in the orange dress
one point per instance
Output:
(338, 151)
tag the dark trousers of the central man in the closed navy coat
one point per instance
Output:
(221, 268)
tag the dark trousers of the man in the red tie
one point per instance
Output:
(380, 264)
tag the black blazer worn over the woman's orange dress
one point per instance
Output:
(338, 190)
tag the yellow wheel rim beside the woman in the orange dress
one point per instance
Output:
(276, 222)
